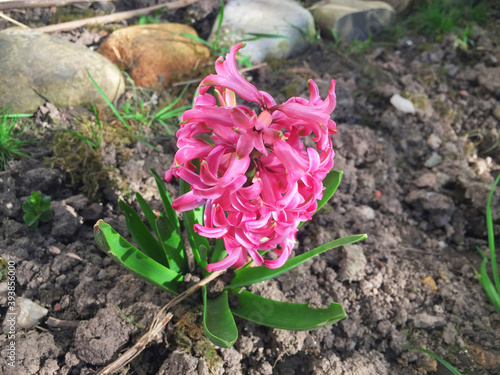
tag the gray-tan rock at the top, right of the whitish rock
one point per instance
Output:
(352, 19)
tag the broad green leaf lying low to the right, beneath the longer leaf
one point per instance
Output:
(285, 315)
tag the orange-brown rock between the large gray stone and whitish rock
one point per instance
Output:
(155, 54)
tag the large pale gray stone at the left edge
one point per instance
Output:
(36, 68)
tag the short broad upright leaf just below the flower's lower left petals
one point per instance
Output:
(172, 244)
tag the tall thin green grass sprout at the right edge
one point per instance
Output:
(492, 290)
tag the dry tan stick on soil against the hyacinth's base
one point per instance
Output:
(156, 327)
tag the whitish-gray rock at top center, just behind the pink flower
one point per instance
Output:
(281, 17)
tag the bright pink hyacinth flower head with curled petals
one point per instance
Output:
(254, 174)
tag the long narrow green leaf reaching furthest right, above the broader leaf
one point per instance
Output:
(252, 275)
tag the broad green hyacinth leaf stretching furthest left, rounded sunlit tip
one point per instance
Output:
(136, 261)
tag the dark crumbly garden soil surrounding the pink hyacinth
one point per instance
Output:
(417, 184)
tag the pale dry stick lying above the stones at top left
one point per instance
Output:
(65, 26)
